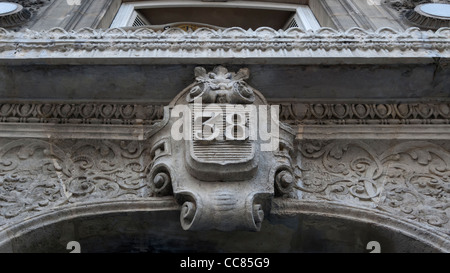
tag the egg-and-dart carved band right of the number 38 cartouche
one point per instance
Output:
(369, 114)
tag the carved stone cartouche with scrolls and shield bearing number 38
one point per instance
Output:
(221, 174)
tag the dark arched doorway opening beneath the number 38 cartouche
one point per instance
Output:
(134, 228)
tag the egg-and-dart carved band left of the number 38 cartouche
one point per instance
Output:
(80, 113)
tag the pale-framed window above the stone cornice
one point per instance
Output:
(194, 14)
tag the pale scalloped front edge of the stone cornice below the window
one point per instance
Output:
(206, 45)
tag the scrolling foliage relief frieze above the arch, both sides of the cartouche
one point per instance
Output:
(409, 180)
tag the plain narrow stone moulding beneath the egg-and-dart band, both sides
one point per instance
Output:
(140, 133)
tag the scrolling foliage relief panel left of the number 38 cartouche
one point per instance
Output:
(37, 175)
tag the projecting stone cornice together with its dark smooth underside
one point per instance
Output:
(355, 64)
